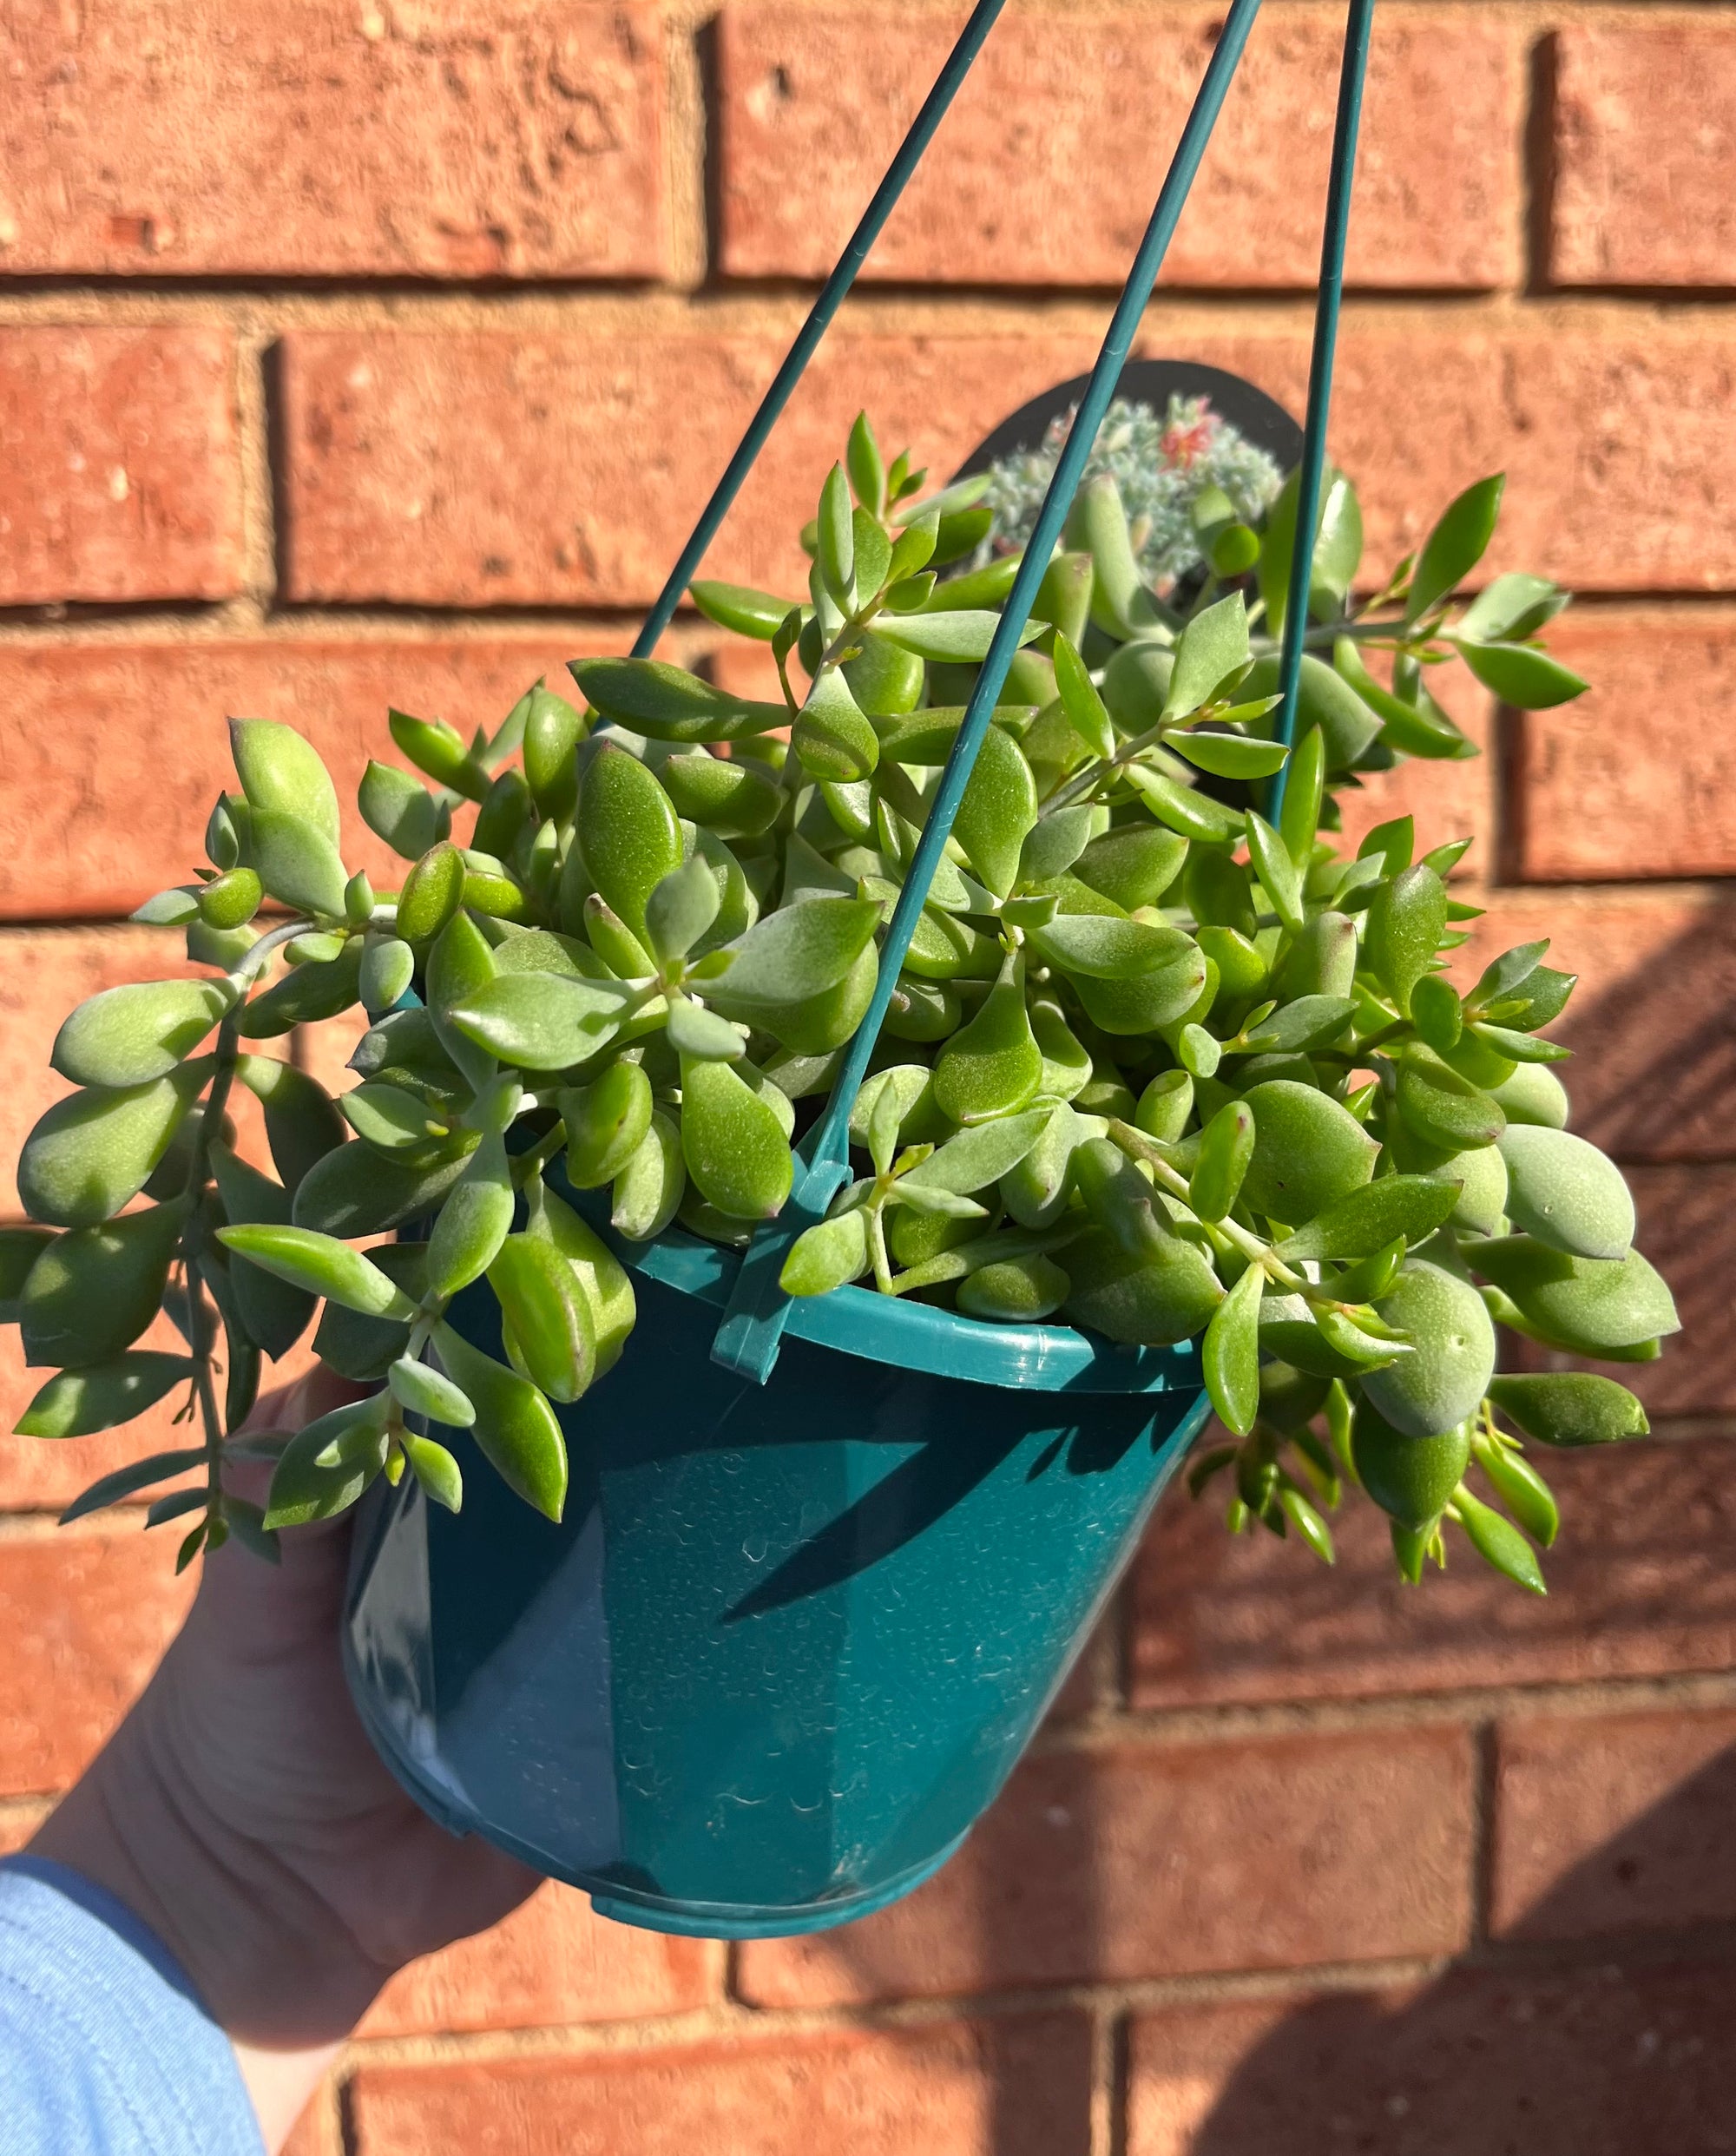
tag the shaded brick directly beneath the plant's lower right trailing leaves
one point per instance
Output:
(1640, 1586)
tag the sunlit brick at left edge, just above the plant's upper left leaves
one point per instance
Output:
(115, 754)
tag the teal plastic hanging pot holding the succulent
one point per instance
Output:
(790, 1640)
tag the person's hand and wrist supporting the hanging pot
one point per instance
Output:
(245, 1816)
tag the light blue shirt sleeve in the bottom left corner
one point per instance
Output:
(105, 2049)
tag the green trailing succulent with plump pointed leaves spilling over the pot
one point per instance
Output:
(1163, 1062)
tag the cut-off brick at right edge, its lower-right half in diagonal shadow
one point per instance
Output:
(1614, 1823)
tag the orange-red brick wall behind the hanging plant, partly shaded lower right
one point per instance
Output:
(385, 350)
